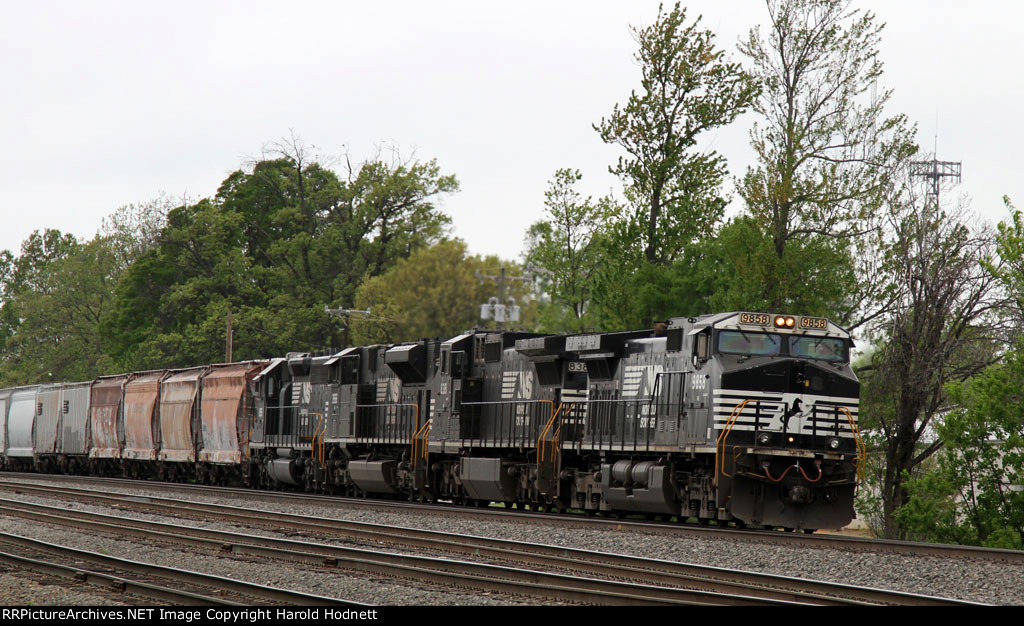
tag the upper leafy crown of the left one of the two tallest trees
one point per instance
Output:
(688, 90)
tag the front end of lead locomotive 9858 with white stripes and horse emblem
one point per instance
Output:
(785, 421)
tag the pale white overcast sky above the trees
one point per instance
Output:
(109, 104)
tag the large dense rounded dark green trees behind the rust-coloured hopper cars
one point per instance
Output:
(279, 243)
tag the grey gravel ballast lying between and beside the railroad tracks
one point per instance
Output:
(968, 579)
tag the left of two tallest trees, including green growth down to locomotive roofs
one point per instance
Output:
(673, 189)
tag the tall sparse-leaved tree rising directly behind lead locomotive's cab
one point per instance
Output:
(827, 153)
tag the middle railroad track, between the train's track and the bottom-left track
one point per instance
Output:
(626, 579)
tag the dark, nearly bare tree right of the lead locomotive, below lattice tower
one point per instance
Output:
(945, 327)
